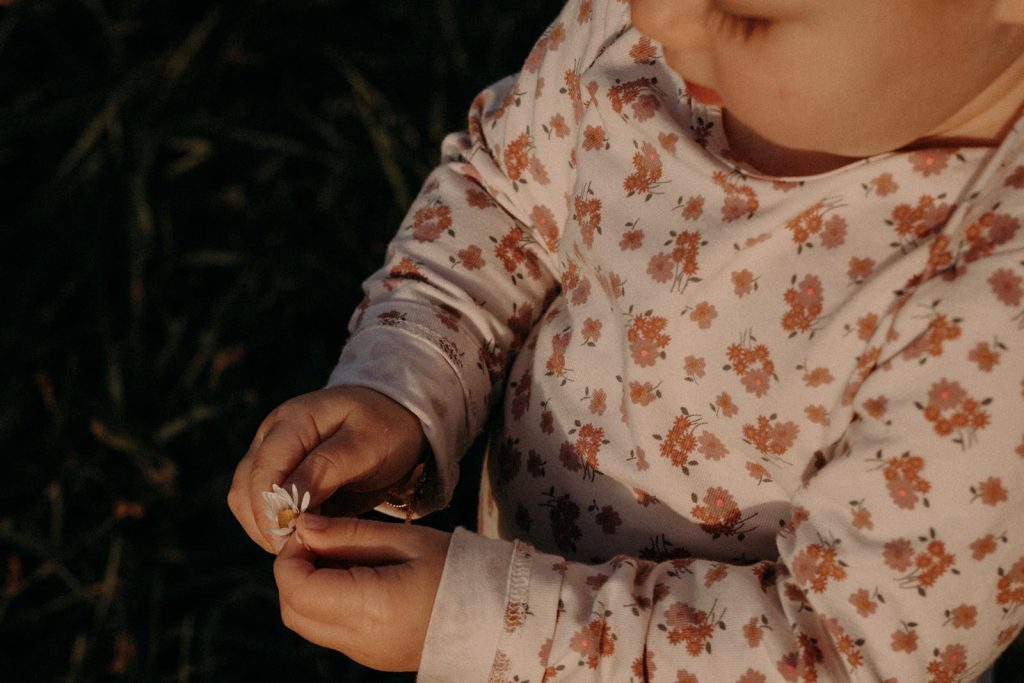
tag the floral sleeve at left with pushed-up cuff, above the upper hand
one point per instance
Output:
(476, 263)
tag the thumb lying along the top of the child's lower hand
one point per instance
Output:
(358, 542)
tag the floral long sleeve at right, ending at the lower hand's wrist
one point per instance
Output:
(902, 560)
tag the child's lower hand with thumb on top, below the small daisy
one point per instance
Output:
(364, 588)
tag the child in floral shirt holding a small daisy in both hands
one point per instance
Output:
(745, 281)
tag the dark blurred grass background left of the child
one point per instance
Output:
(191, 194)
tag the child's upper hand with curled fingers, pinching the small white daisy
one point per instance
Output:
(349, 438)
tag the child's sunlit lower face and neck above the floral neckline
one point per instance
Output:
(847, 79)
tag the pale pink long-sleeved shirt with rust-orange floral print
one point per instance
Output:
(743, 429)
